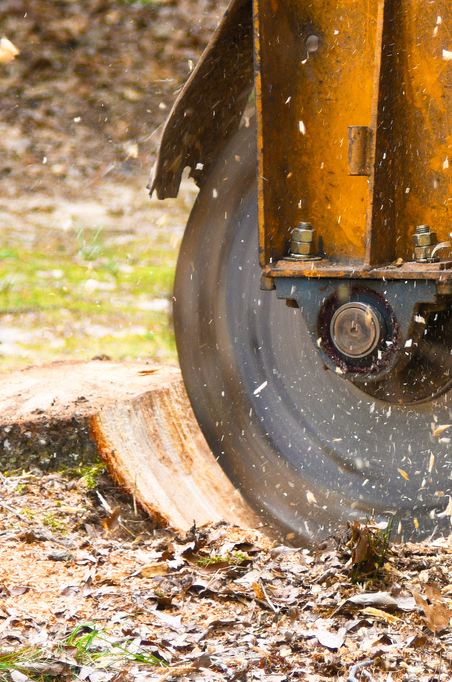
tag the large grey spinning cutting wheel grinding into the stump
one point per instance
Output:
(309, 449)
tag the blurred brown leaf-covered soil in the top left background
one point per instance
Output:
(85, 100)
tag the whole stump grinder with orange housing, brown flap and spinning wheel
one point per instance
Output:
(313, 294)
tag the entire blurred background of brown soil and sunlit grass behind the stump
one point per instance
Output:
(86, 257)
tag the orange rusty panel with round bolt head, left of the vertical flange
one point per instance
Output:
(314, 96)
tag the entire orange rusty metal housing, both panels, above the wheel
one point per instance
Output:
(377, 65)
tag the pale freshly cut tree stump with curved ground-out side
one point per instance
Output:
(137, 418)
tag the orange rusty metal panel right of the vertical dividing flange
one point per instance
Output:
(422, 128)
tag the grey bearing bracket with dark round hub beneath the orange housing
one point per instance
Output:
(391, 339)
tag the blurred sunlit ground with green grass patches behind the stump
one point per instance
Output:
(87, 278)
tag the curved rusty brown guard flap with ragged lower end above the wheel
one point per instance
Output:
(210, 106)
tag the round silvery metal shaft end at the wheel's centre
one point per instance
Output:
(356, 329)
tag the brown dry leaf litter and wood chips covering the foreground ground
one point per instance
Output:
(85, 598)
